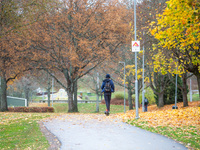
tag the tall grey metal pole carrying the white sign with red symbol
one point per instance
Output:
(136, 81)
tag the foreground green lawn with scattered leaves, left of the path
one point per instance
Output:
(21, 131)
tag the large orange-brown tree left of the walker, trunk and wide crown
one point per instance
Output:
(77, 37)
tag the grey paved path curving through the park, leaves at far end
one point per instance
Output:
(98, 132)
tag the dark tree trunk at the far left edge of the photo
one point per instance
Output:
(4, 106)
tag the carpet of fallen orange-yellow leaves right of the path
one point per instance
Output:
(166, 116)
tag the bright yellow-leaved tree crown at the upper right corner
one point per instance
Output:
(178, 33)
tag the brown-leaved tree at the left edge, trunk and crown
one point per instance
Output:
(15, 15)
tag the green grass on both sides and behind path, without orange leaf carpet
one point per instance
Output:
(21, 130)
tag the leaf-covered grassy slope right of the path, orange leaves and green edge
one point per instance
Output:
(182, 124)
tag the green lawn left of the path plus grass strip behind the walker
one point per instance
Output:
(21, 130)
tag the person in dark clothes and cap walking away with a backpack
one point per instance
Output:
(107, 88)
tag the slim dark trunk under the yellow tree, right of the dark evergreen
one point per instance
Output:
(184, 90)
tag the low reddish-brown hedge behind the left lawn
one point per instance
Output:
(31, 109)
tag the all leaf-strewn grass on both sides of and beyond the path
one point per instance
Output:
(21, 130)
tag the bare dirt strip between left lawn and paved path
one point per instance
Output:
(54, 142)
